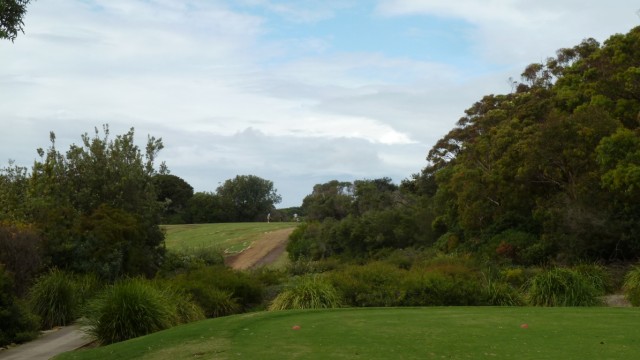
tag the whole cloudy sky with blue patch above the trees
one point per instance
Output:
(299, 92)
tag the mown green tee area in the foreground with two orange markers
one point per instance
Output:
(394, 333)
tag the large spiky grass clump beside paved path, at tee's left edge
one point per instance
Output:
(128, 309)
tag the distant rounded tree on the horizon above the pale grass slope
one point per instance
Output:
(248, 197)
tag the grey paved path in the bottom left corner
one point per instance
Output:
(50, 344)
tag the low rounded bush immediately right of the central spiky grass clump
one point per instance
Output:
(372, 284)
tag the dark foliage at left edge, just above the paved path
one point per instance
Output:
(17, 324)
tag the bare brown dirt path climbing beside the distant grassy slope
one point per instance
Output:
(262, 252)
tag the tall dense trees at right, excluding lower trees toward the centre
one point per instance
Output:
(549, 170)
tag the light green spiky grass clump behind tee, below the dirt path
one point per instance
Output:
(307, 292)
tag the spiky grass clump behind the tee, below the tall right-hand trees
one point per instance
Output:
(562, 287)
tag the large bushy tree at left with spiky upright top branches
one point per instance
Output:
(96, 205)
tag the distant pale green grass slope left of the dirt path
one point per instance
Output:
(232, 237)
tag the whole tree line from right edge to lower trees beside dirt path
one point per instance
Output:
(547, 173)
